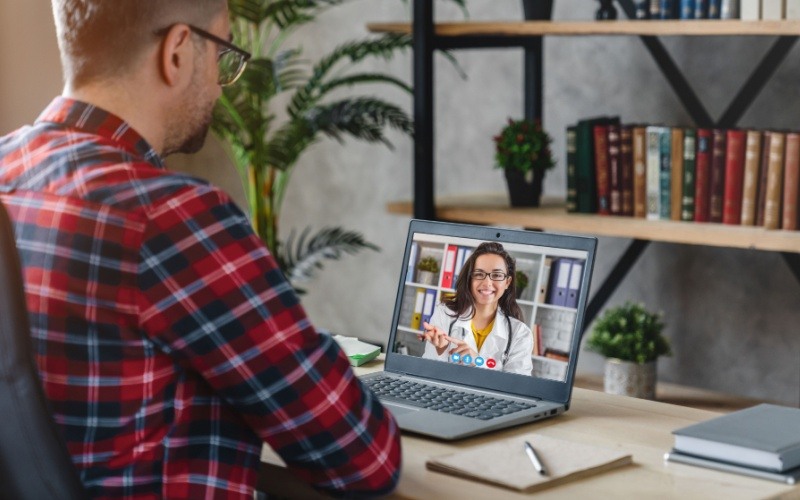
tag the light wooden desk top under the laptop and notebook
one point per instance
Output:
(642, 428)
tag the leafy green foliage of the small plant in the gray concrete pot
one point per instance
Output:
(629, 332)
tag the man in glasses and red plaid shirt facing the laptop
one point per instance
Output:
(169, 342)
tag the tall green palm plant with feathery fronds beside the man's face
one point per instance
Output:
(283, 104)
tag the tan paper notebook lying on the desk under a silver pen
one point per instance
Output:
(505, 463)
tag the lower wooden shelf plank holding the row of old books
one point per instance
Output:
(552, 216)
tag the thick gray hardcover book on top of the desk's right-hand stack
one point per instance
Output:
(765, 436)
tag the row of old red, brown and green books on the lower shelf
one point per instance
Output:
(732, 176)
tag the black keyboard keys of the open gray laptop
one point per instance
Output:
(443, 399)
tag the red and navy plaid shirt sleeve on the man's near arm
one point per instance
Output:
(214, 298)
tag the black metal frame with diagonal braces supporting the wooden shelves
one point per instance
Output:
(426, 42)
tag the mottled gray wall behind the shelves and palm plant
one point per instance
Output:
(732, 315)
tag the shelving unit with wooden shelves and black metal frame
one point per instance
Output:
(528, 35)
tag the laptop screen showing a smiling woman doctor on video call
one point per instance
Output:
(453, 275)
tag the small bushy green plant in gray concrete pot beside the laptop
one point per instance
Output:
(630, 338)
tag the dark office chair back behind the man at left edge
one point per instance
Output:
(34, 461)
